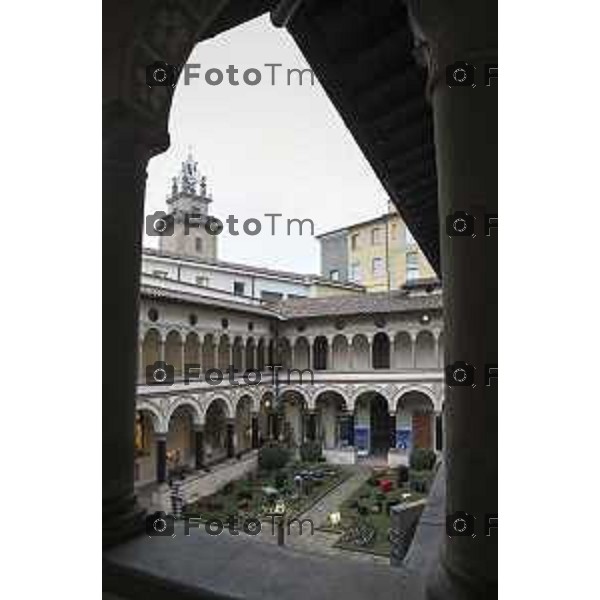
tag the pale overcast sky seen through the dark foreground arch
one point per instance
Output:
(264, 149)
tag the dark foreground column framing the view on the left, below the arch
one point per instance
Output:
(124, 161)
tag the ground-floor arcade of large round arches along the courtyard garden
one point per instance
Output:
(349, 430)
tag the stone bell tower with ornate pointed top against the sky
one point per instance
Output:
(188, 205)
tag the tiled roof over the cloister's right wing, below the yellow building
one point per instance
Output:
(396, 301)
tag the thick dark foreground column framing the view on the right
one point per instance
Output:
(466, 139)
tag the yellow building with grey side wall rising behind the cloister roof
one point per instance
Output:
(379, 254)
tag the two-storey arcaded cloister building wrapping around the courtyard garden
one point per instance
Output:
(360, 375)
